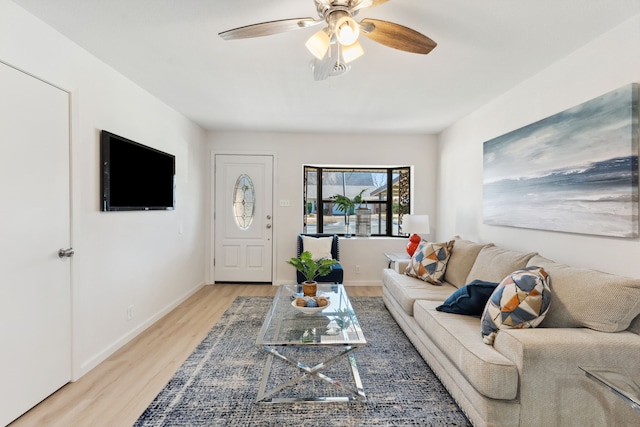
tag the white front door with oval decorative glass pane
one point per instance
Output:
(243, 247)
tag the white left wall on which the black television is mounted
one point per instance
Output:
(151, 260)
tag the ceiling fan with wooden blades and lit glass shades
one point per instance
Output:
(336, 45)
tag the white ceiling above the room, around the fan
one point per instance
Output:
(485, 47)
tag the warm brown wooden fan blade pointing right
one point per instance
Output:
(396, 36)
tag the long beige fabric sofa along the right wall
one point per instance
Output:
(529, 377)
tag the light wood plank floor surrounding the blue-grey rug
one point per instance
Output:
(118, 390)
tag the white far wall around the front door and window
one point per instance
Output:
(292, 151)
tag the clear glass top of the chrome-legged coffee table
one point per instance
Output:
(335, 325)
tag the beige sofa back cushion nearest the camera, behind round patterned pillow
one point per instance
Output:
(589, 298)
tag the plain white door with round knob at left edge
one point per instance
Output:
(35, 284)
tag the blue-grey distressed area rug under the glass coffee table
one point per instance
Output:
(217, 385)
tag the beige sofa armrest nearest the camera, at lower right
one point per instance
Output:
(553, 389)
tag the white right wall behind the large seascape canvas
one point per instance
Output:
(602, 65)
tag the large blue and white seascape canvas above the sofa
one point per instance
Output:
(575, 171)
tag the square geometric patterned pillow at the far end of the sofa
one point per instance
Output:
(429, 261)
